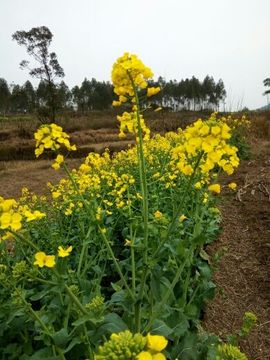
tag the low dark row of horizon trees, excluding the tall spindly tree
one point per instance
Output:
(188, 94)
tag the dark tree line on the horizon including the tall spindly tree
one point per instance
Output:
(52, 95)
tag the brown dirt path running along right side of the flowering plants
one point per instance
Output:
(243, 274)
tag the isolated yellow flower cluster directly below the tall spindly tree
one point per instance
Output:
(51, 137)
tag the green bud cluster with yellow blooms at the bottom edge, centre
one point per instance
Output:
(126, 345)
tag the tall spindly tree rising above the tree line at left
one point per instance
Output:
(37, 42)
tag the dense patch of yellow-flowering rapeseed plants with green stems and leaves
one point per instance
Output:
(131, 228)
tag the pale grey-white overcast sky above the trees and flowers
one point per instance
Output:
(227, 39)
